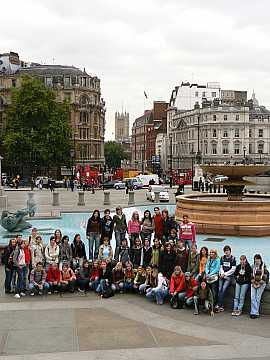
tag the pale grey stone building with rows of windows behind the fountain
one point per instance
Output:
(218, 132)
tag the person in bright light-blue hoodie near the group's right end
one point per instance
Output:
(212, 268)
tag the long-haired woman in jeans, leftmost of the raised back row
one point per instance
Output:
(93, 234)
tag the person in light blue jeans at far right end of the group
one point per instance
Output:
(259, 279)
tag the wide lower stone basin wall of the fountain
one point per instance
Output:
(215, 214)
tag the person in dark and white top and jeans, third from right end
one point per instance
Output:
(227, 269)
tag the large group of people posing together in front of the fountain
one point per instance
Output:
(153, 256)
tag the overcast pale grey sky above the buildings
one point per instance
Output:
(149, 45)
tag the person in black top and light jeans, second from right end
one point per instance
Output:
(242, 277)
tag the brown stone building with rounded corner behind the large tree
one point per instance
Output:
(81, 90)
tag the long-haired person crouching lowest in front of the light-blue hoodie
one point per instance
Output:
(203, 298)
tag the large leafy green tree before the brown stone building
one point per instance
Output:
(38, 131)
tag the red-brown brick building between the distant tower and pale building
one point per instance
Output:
(144, 134)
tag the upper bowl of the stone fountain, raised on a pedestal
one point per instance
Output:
(235, 171)
